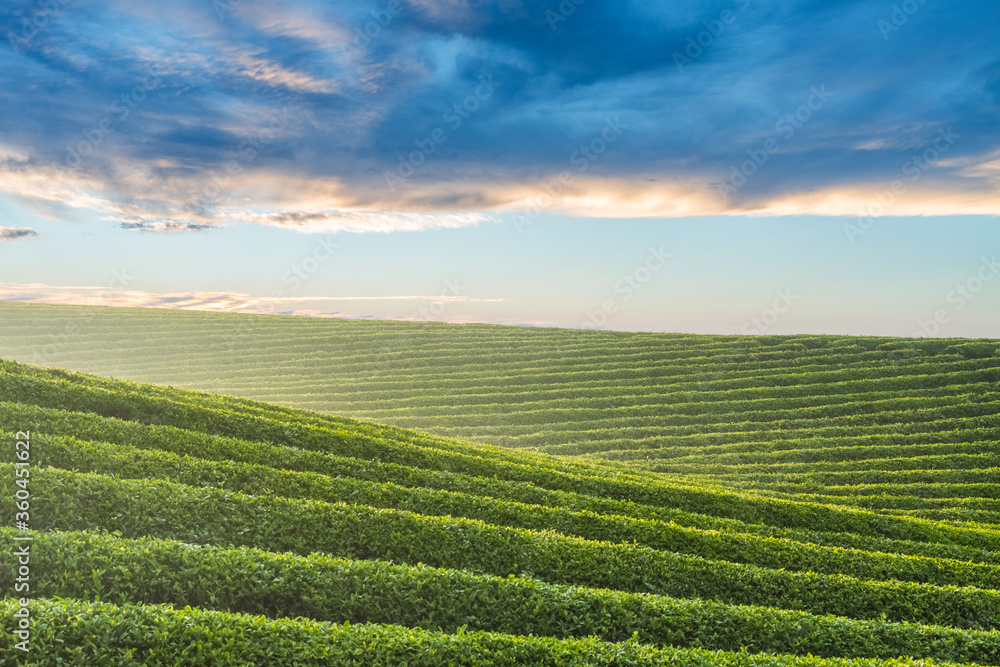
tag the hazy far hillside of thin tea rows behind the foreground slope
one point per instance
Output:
(659, 401)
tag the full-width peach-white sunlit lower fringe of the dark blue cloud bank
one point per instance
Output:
(164, 197)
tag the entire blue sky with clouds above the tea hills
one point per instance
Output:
(708, 167)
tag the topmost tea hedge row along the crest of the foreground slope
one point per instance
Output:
(134, 406)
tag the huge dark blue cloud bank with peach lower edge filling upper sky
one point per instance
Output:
(345, 116)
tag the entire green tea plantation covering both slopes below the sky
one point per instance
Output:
(805, 500)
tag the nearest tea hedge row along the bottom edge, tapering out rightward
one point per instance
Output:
(91, 633)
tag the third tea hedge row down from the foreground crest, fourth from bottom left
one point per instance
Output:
(129, 462)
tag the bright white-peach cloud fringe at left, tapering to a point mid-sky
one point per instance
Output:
(159, 197)
